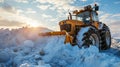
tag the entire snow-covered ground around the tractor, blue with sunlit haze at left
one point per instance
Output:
(24, 48)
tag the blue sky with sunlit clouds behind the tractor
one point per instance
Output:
(48, 13)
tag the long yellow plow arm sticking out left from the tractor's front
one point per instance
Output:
(68, 38)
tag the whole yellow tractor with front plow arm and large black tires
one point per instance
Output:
(83, 28)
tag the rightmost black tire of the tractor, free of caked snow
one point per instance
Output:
(105, 37)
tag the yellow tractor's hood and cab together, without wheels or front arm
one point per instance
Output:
(86, 16)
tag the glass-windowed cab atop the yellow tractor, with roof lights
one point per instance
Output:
(87, 15)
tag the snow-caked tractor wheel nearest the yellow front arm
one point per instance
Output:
(88, 36)
